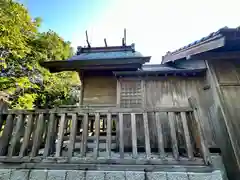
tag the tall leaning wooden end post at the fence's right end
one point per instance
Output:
(196, 115)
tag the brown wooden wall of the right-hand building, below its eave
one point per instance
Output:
(224, 77)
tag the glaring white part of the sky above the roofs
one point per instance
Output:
(157, 26)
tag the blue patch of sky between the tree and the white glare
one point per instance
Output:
(66, 16)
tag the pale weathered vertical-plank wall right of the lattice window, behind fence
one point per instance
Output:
(168, 92)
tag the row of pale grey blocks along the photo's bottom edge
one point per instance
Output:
(7, 174)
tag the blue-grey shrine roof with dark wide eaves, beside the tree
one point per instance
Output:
(100, 58)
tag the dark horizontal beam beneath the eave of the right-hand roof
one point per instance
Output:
(216, 55)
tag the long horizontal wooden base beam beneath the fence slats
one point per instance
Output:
(80, 163)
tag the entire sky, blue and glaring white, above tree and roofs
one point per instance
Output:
(155, 26)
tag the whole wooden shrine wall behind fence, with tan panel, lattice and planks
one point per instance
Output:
(166, 91)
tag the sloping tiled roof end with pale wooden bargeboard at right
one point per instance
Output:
(225, 39)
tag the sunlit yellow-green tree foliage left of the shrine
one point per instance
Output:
(22, 48)
